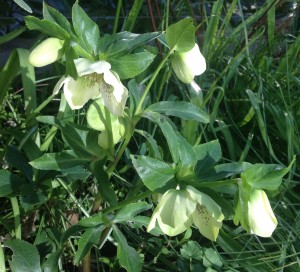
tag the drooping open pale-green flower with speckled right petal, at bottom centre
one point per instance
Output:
(179, 209)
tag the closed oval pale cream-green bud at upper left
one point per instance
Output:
(47, 52)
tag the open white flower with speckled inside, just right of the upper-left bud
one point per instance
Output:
(95, 80)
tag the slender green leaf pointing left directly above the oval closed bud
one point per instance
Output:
(46, 26)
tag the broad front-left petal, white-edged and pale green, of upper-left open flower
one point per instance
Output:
(79, 91)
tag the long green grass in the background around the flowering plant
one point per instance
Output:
(251, 92)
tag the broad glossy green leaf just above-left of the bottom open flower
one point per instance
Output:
(155, 174)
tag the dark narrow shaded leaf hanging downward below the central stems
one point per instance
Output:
(104, 186)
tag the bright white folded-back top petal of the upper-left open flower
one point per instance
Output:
(86, 67)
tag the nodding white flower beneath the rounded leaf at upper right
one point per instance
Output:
(189, 64)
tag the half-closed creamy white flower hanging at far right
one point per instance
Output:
(261, 218)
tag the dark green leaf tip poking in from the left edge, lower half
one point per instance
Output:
(8, 182)
